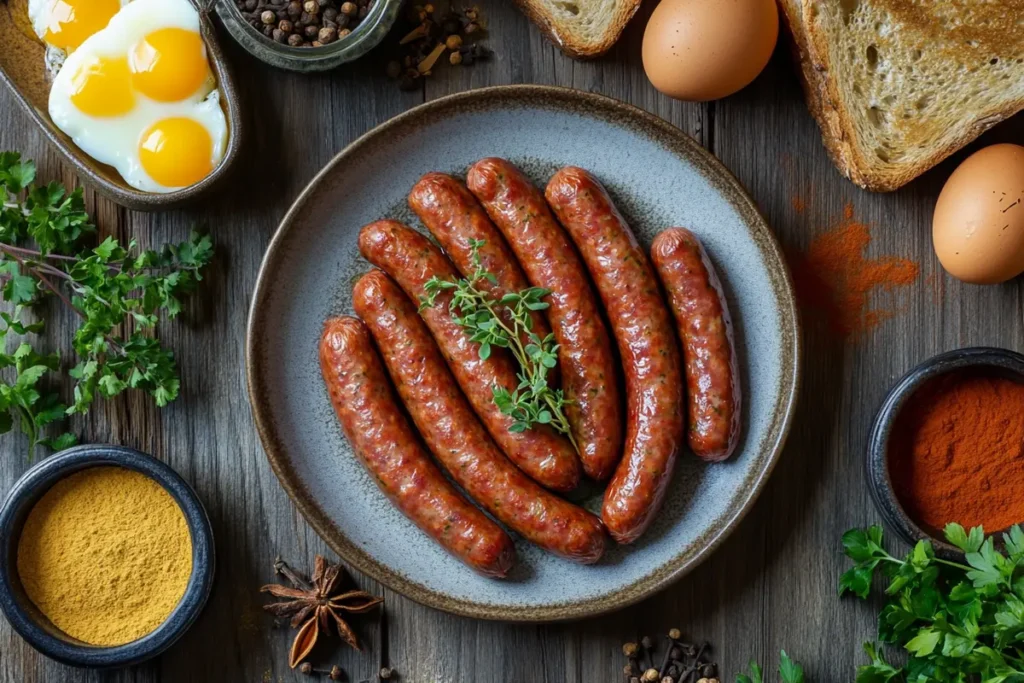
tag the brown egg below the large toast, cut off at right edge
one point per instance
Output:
(978, 228)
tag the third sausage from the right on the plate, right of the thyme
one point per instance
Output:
(519, 209)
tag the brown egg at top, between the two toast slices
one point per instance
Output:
(707, 50)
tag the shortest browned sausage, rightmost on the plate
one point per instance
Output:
(706, 331)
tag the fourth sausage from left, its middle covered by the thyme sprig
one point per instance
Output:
(456, 220)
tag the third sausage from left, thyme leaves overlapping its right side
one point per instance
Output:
(412, 260)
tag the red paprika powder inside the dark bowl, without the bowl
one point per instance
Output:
(957, 452)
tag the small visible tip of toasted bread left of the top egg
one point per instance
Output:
(581, 28)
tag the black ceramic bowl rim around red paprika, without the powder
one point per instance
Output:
(998, 362)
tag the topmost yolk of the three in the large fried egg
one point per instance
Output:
(169, 65)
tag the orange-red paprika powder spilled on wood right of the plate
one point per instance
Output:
(834, 278)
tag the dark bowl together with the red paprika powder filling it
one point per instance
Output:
(948, 446)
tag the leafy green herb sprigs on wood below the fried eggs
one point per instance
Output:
(110, 287)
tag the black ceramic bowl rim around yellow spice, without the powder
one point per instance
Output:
(31, 624)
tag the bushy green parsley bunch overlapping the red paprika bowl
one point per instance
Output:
(959, 623)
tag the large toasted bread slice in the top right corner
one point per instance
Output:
(900, 86)
